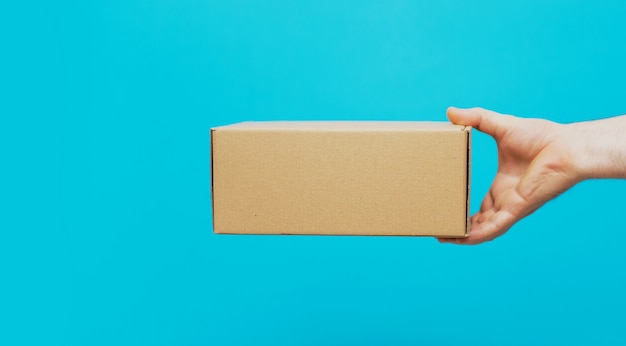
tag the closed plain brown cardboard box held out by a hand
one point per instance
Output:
(348, 178)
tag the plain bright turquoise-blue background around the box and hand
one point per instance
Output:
(105, 224)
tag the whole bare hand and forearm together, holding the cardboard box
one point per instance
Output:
(537, 161)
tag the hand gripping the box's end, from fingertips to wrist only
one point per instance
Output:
(535, 164)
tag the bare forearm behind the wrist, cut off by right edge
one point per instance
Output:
(600, 147)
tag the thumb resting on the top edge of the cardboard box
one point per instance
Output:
(484, 120)
